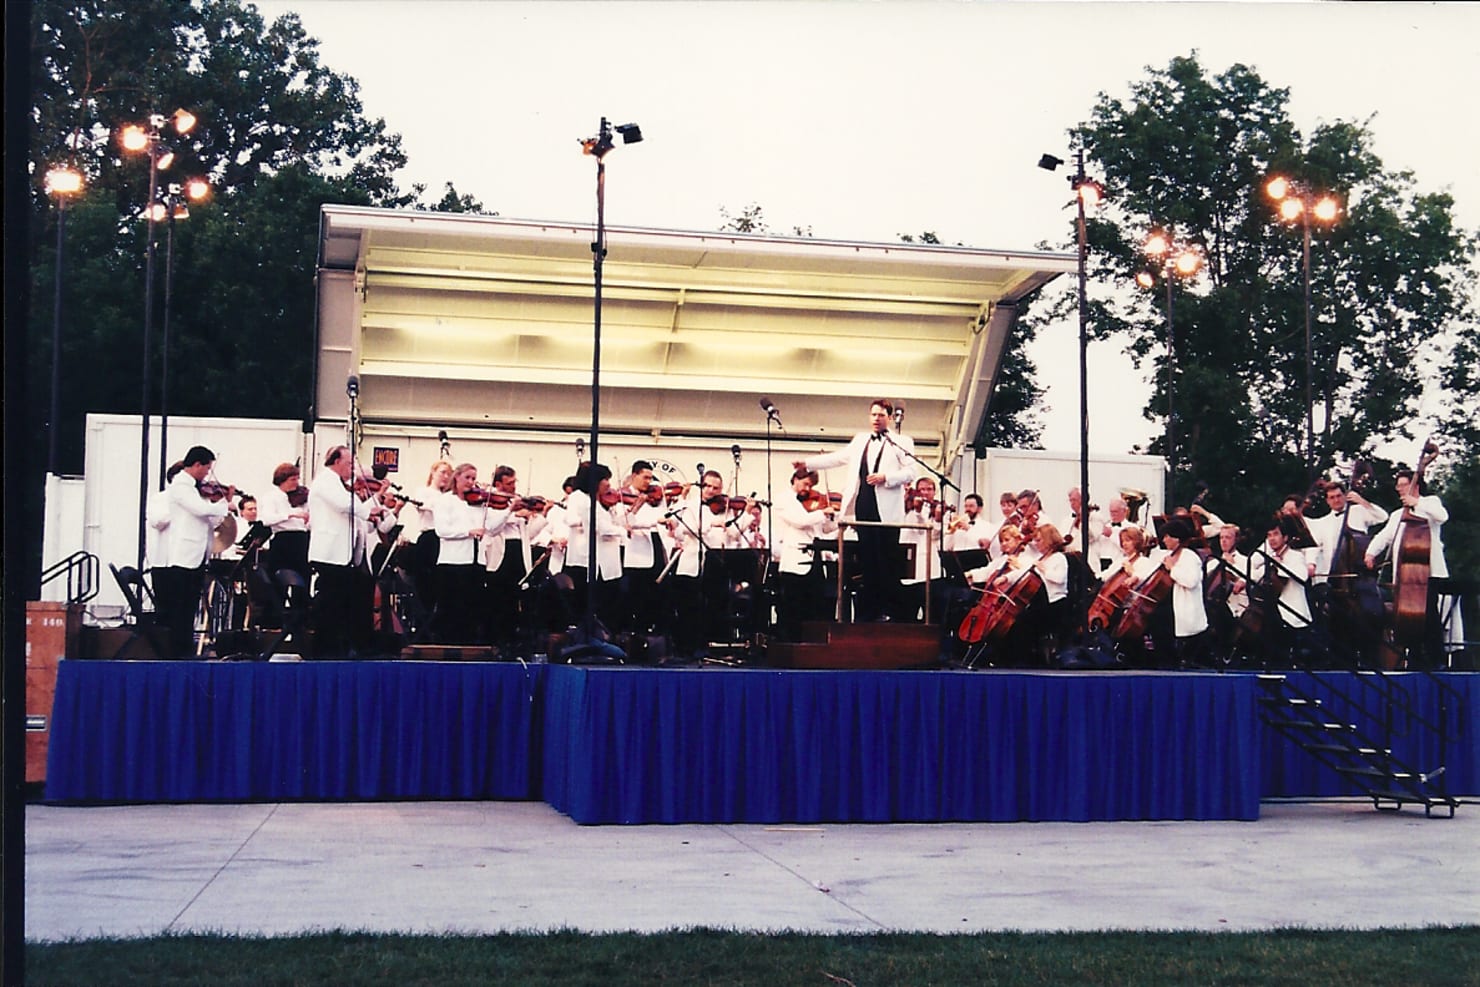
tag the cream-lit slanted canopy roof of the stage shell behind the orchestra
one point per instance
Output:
(452, 319)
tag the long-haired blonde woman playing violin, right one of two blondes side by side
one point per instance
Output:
(460, 522)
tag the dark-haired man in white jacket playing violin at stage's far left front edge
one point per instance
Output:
(195, 511)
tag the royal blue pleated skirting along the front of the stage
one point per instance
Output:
(630, 745)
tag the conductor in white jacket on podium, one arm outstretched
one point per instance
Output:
(881, 468)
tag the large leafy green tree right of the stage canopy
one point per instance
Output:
(1192, 155)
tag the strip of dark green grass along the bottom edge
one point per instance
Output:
(1297, 958)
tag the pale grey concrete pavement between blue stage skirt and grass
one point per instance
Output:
(277, 869)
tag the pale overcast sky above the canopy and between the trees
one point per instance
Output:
(869, 121)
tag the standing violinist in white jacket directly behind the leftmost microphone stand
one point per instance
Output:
(338, 553)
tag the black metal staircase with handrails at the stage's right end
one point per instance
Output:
(1356, 744)
